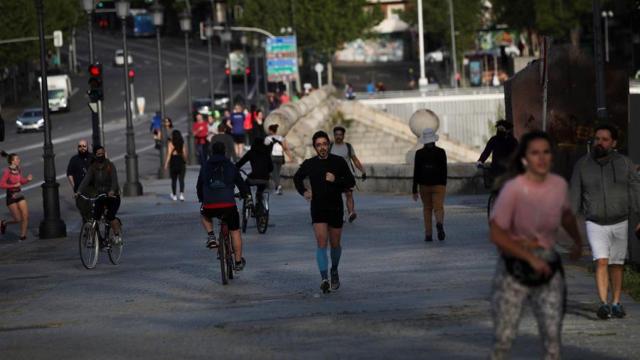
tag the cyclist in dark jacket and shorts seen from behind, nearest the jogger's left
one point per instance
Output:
(215, 189)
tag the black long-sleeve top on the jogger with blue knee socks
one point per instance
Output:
(325, 195)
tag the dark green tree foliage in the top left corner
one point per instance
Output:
(19, 20)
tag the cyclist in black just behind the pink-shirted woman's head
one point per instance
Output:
(501, 146)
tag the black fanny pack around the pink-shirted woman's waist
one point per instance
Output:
(526, 275)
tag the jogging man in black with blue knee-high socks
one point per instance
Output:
(329, 175)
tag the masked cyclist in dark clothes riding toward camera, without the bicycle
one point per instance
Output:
(102, 178)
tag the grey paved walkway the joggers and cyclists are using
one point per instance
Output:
(400, 297)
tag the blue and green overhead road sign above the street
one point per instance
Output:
(282, 59)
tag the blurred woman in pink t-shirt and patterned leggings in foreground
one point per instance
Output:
(531, 208)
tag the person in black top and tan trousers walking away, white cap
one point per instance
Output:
(430, 182)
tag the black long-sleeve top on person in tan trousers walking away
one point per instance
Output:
(430, 167)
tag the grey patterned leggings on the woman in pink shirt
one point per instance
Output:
(547, 301)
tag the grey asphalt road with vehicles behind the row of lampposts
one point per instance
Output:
(68, 128)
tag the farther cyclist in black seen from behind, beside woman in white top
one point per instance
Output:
(261, 166)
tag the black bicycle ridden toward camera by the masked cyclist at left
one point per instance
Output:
(96, 236)
